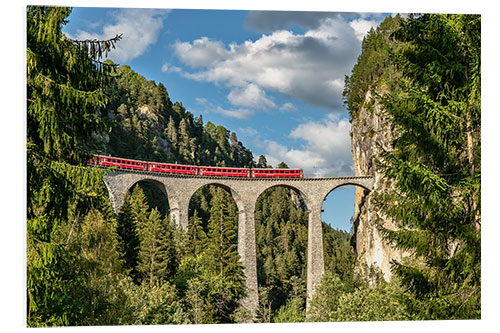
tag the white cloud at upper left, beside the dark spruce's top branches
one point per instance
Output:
(140, 29)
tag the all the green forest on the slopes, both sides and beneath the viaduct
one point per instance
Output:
(87, 265)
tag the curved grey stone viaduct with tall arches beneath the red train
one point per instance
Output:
(245, 192)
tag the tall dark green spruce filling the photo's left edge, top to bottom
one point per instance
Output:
(65, 84)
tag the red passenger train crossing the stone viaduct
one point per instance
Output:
(124, 163)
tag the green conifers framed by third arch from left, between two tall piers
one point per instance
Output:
(281, 242)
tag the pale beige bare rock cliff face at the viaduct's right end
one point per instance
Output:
(371, 130)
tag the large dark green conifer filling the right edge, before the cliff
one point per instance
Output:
(435, 164)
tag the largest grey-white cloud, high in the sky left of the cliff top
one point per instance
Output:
(310, 66)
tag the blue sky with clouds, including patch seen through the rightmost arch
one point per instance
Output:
(273, 77)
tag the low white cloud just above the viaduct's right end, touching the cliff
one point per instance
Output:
(325, 149)
